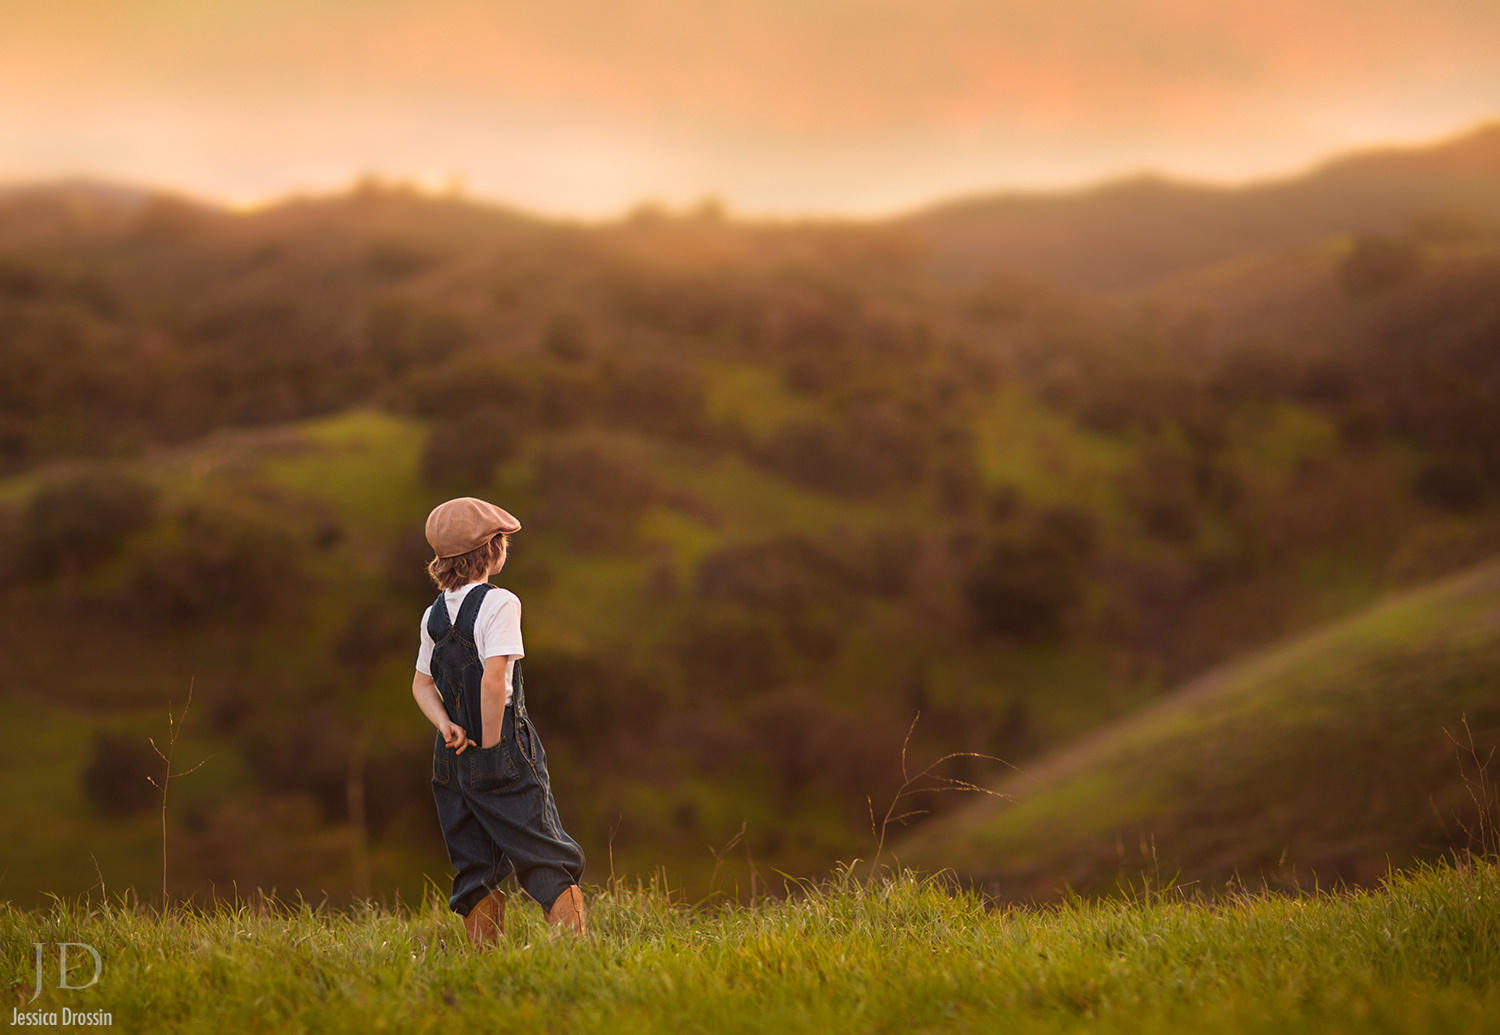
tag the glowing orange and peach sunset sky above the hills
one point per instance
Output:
(584, 109)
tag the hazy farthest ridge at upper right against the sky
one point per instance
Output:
(1136, 230)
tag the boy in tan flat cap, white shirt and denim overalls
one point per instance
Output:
(490, 775)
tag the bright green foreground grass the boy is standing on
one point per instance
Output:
(904, 953)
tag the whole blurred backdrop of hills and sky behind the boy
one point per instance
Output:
(1109, 389)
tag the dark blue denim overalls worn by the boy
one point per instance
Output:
(494, 803)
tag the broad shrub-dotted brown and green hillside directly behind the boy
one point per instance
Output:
(782, 488)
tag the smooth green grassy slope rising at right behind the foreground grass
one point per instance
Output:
(1324, 758)
